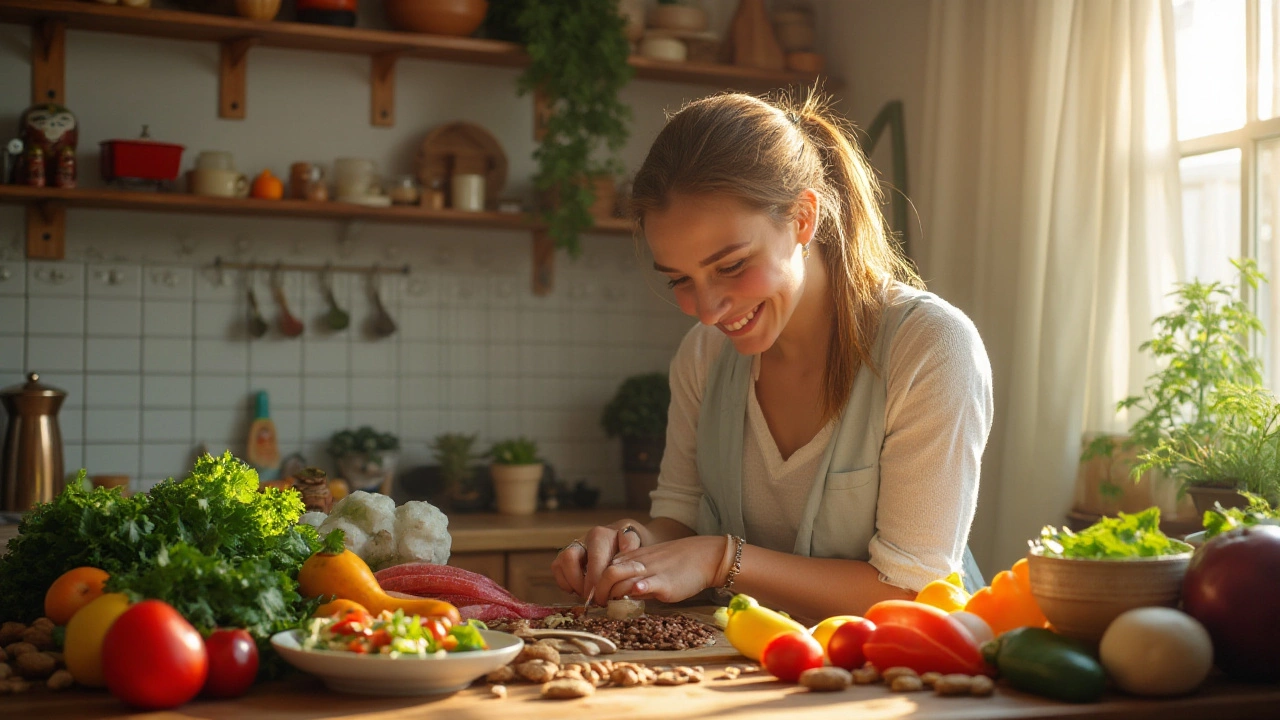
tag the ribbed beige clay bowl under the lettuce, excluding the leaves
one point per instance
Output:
(1082, 598)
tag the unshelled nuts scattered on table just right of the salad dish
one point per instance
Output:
(541, 663)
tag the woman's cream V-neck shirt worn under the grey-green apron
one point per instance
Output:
(938, 417)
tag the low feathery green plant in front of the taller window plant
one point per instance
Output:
(1241, 453)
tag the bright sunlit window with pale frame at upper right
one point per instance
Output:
(1228, 60)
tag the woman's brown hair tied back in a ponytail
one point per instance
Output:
(766, 153)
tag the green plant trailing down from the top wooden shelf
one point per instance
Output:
(579, 65)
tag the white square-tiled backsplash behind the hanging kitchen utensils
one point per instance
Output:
(157, 358)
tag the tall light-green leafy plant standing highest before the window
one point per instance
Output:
(1200, 345)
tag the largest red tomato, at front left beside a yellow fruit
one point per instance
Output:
(153, 658)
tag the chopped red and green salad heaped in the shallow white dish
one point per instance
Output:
(394, 634)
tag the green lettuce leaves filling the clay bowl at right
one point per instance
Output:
(1112, 539)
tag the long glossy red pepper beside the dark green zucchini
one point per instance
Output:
(922, 637)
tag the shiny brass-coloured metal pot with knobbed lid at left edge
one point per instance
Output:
(33, 463)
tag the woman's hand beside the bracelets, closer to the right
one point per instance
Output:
(668, 572)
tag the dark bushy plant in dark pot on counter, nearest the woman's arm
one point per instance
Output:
(638, 414)
